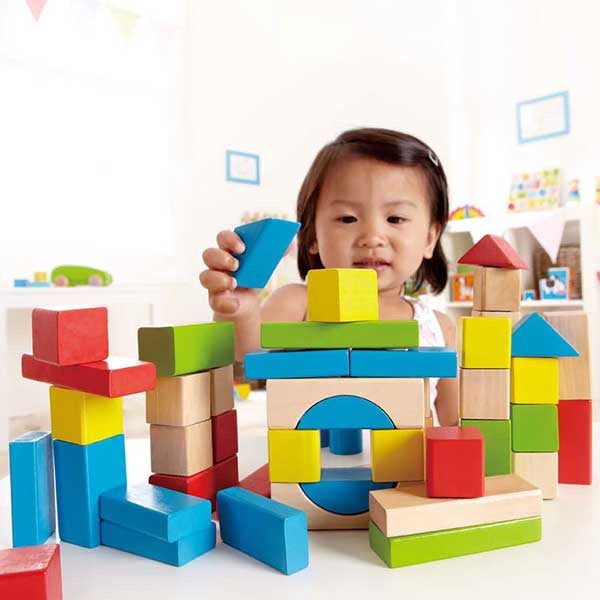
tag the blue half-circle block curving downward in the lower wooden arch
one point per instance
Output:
(344, 491)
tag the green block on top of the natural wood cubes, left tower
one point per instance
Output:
(184, 349)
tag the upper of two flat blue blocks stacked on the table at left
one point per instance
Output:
(156, 511)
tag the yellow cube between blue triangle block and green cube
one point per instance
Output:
(534, 381)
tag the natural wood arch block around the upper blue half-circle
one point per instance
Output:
(289, 399)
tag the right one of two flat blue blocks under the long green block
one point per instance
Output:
(414, 362)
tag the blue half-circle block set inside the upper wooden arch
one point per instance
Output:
(345, 412)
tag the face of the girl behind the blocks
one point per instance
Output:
(372, 215)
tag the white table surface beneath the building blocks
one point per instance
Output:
(565, 563)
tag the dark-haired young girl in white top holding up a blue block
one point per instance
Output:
(372, 199)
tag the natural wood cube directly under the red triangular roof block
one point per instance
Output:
(497, 289)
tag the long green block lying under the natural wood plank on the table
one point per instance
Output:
(406, 550)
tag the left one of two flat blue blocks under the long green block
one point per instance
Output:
(292, 364)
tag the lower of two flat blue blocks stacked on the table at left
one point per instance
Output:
(176, 553)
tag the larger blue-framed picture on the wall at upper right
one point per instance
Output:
(542, 118)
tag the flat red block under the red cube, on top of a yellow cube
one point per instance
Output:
(116, 376)
